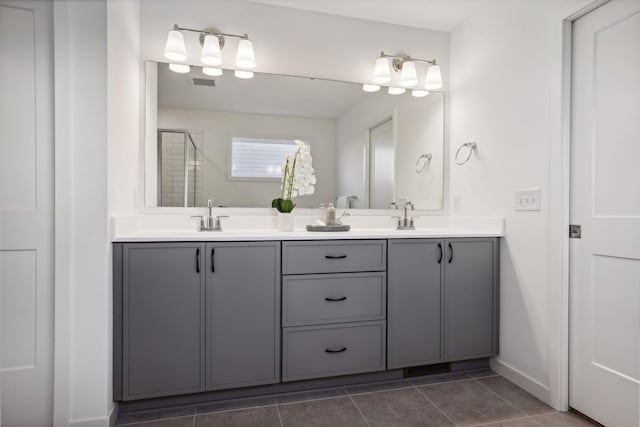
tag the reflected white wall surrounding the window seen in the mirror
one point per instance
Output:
(218, 127)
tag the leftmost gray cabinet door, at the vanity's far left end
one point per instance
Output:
(163, 319)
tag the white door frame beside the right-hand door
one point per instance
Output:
(561, 385)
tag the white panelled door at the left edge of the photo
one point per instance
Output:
(26, 213)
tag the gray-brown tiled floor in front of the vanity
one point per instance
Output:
(468, 399)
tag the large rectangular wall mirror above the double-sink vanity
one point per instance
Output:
(225, 139)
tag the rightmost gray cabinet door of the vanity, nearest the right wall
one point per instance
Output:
(470, 299)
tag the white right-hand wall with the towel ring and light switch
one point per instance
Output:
(506, 94)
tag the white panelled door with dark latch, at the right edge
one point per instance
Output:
(605, 200)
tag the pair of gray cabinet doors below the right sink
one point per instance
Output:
(442, 300)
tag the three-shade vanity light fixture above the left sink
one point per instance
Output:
(212, 42)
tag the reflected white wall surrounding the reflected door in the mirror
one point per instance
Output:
(418, 128)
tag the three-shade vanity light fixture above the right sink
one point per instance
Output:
(406, 65)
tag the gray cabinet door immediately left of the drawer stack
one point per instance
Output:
(243, 314)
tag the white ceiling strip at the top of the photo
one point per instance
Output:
(440, 15)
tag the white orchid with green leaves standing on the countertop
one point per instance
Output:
(298, 178)
